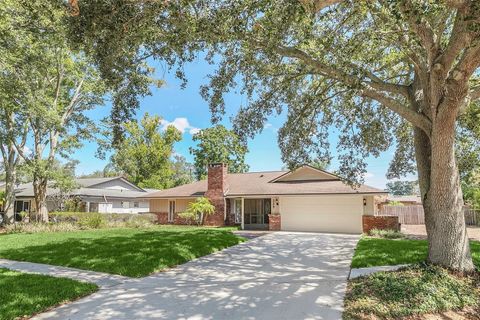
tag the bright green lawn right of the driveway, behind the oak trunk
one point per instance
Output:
(382, 252)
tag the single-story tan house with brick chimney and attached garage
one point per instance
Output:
(305, 199)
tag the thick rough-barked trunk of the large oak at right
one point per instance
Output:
(442, 199)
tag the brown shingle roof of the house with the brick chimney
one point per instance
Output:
(258, 183)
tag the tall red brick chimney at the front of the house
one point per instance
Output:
(216, 188)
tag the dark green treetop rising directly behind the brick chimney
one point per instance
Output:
(218, 144)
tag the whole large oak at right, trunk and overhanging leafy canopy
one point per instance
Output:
(371, 70)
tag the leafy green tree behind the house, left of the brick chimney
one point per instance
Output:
(145, 152)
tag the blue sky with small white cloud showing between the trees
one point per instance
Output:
(189, 112)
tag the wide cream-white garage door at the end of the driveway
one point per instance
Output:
(341, 214)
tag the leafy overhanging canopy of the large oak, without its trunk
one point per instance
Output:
(347, 68)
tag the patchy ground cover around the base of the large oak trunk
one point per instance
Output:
(415, 290)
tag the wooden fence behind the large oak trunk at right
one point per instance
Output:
(415, 214)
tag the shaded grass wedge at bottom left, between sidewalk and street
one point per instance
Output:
(23, 294)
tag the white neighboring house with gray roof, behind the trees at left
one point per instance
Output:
(105, 195)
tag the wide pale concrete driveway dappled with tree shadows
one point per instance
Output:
(281, 275)
